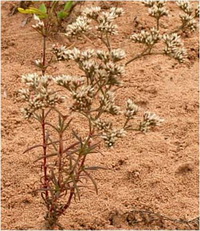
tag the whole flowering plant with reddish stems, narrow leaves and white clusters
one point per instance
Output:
(90, 94)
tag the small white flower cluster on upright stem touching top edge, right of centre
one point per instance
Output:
(158, 10)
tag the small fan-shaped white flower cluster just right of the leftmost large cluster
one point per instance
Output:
(69, 82)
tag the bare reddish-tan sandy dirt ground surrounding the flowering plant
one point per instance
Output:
(157, 171)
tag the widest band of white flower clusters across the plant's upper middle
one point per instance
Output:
(109, 70)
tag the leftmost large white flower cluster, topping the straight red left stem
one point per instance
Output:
(38, 95)
